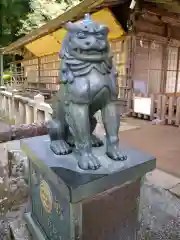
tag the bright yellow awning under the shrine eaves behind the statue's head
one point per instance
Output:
(50, 44)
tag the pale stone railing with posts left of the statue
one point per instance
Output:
(24, 110)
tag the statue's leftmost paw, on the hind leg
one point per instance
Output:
(60, 147)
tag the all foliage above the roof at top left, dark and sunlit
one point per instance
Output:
(19, 17)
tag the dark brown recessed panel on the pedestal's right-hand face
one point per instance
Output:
(112, 214)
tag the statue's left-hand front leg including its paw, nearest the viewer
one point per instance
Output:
(77, 117)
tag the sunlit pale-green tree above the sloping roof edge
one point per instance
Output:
(43, 11)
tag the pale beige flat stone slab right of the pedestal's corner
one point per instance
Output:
(162, 179)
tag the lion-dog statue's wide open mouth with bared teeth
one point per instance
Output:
(90, 55)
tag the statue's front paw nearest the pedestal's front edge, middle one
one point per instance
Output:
(88, 161)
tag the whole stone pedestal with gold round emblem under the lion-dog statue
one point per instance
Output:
(70, 203)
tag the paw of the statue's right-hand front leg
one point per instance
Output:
(115, 153)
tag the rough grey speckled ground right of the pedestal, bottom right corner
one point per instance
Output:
(159, 214)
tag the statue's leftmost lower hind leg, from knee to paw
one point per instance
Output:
(56, 131)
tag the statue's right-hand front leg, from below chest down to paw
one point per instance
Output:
(111, 120)
